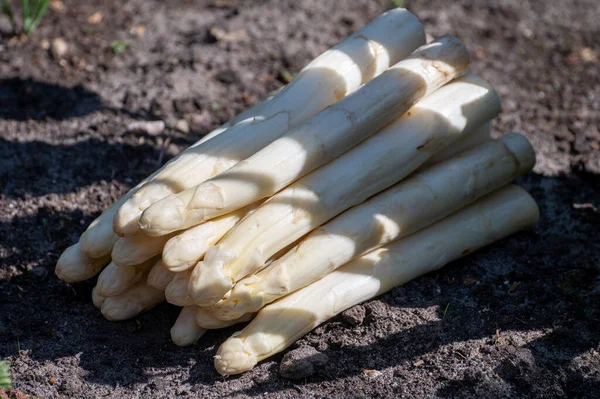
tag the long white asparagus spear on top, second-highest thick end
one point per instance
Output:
(320, 139)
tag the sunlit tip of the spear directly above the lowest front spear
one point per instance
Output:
(239, 301)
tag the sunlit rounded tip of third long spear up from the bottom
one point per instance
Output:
(209, 282)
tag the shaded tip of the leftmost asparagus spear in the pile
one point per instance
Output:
(74, 266)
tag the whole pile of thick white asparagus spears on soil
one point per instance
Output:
(372, 167)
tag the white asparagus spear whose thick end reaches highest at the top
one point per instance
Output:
(331, 76)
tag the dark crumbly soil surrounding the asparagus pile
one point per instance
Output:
(518, 319)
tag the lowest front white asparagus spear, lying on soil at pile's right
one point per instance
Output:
(281, 323)
